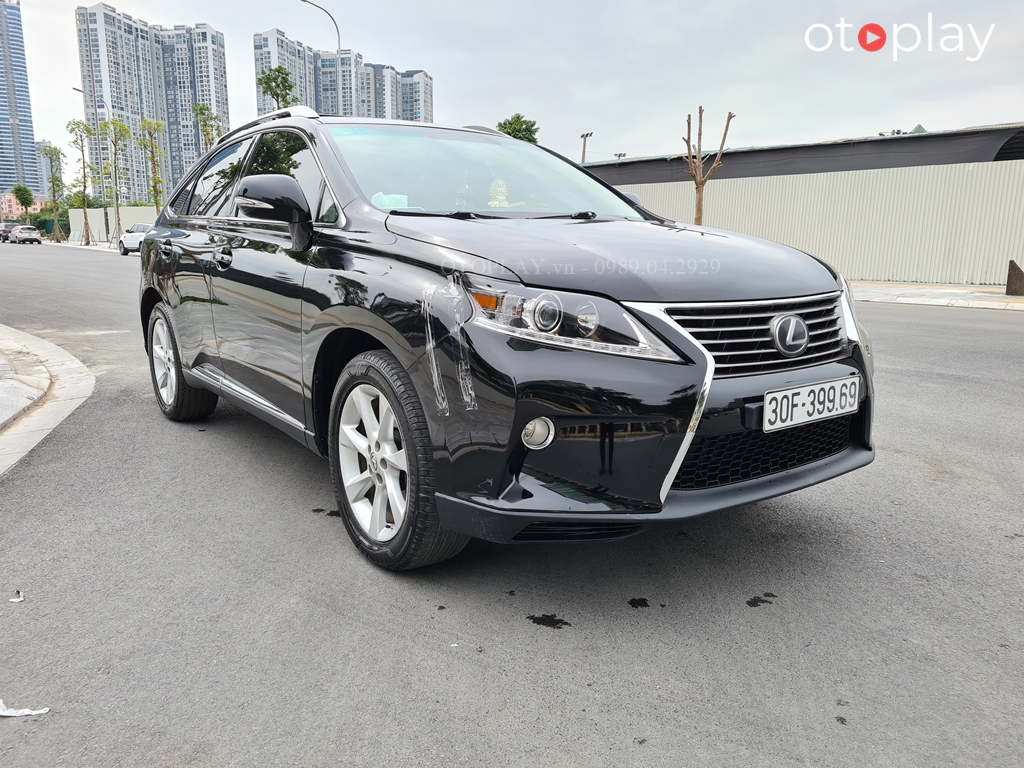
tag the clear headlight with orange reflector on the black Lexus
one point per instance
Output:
(558, 319)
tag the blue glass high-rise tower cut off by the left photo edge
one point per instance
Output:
(19, 161)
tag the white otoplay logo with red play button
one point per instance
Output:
(906, 38)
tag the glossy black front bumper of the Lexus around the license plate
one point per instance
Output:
(624, 430)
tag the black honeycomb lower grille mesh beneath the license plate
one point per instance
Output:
(735, 457)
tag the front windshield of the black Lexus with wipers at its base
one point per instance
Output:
(433, 170)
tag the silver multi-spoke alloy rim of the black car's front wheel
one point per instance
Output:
(373, 463)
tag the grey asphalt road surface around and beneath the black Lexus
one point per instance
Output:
(189, 604)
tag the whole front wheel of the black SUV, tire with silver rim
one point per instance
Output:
(373, 385)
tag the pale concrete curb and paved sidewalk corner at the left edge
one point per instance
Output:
(62, 381)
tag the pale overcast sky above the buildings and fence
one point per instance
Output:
(630, 72)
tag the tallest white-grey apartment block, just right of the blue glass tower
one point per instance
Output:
(132, 71)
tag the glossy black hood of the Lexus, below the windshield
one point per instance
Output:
(628, 261)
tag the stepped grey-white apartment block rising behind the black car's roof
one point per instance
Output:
(339, 83)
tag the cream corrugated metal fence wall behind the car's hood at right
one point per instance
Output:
(953, 224)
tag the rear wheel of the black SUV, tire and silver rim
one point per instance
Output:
(178, 400)
